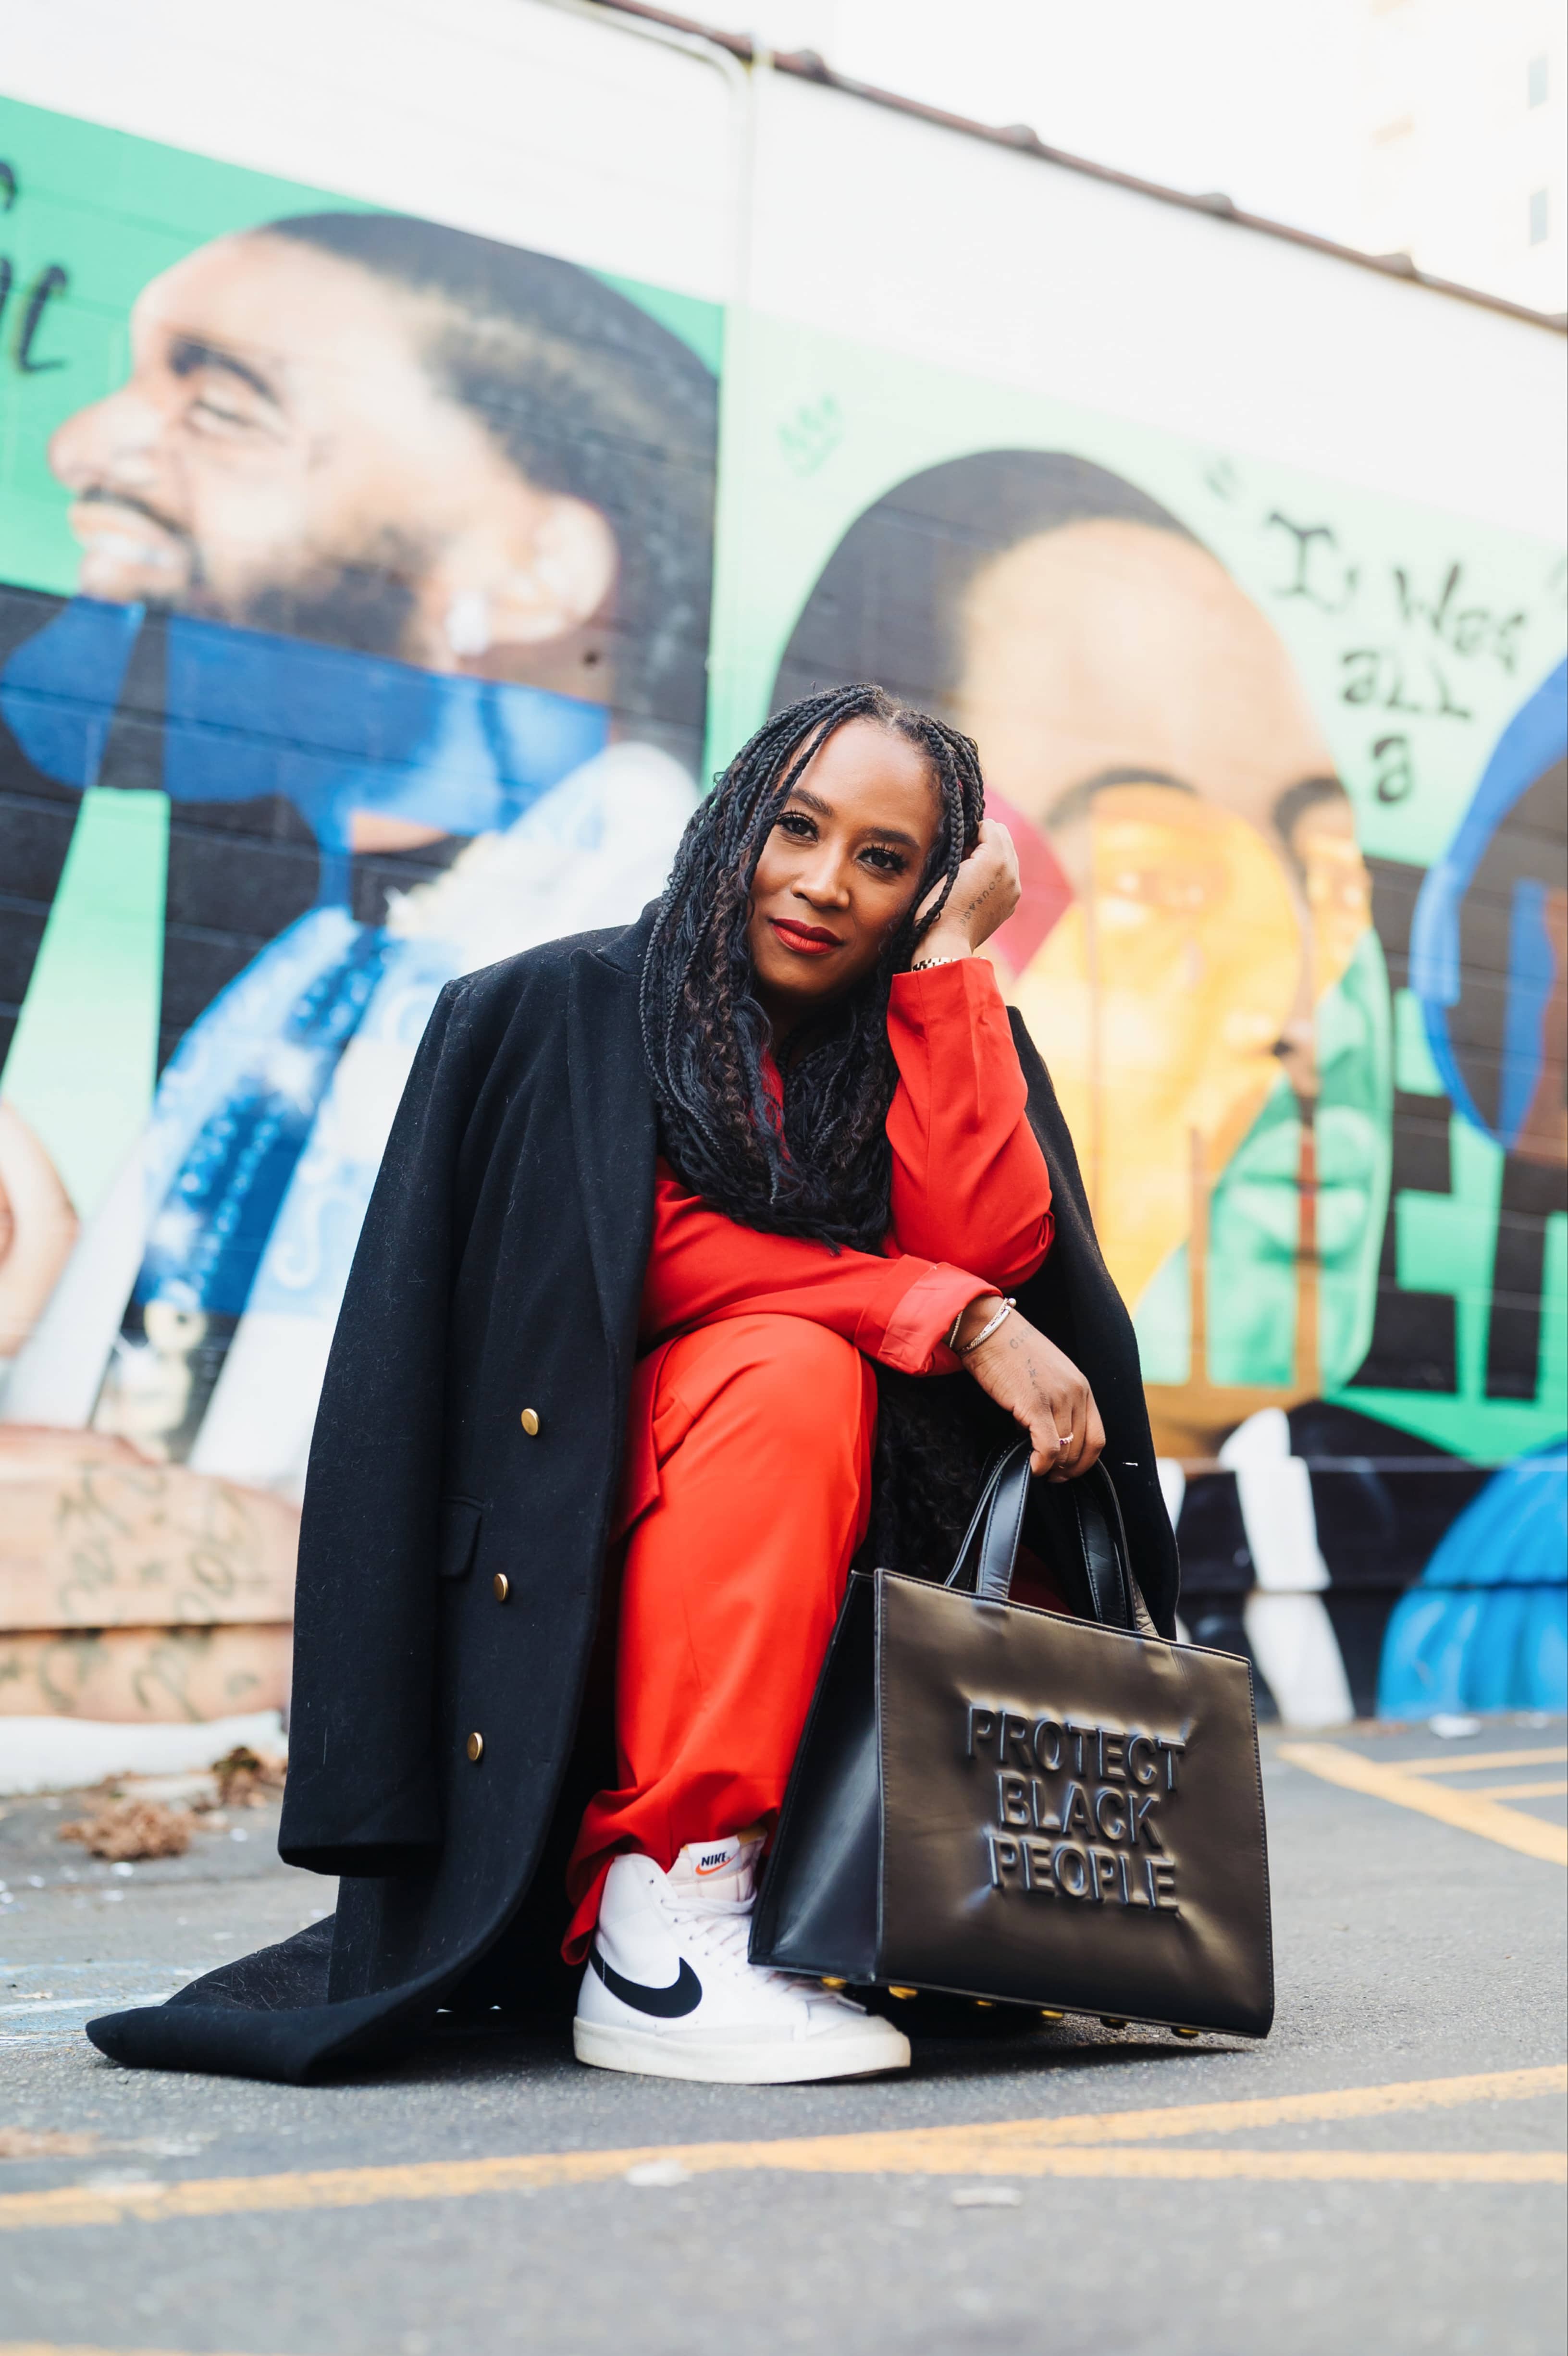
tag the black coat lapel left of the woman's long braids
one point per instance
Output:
(613, 1125)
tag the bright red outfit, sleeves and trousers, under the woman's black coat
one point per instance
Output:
(752, 1419)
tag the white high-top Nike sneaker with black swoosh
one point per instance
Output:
(670, 1990)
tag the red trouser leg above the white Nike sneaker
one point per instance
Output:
(731, 1589)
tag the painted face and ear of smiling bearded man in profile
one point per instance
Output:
(284, 454)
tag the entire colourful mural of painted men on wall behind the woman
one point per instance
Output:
(357, 630)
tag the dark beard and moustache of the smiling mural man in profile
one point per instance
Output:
(361, 602)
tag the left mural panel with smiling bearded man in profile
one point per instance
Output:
(385, 560)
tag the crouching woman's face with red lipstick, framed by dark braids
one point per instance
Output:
(839, 871)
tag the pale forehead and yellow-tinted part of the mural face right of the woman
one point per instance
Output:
(1138, 708)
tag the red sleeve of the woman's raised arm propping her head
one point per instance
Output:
(969, 1174)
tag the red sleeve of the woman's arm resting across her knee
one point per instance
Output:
(703, 1269)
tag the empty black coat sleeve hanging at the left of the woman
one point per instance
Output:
(361, 1792)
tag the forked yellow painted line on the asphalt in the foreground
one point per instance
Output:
(1087, 2145)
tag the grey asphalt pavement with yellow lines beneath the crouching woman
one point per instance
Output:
(1393, 2185)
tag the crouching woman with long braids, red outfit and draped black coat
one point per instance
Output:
(651, 1207)
